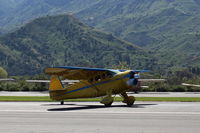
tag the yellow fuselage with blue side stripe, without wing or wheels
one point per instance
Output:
(85, 89)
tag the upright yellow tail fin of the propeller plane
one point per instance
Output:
(55, 84)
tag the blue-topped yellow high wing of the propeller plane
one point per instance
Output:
(82, 73)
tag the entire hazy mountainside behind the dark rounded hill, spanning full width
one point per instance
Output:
(168, 29)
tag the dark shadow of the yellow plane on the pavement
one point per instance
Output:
(88, 107)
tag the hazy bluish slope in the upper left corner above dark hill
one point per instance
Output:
(14, 13)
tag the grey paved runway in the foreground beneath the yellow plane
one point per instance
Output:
(92, 117)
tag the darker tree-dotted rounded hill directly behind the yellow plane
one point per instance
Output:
(63, 40)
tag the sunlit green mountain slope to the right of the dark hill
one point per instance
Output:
(169, 28)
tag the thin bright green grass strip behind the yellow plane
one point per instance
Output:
(47, 99)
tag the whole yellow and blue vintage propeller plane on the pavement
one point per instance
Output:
(93, 82)
